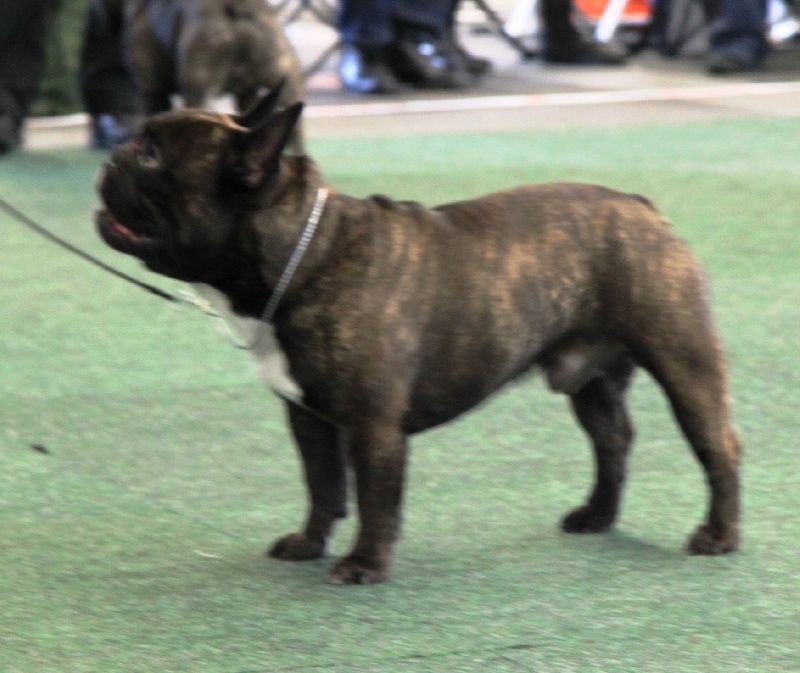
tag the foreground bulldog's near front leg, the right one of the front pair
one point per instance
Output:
(378, 453)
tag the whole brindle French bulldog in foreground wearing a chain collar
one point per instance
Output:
(401, 317)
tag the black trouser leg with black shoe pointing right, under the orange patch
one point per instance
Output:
(563, 43)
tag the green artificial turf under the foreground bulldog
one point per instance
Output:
(134, 543)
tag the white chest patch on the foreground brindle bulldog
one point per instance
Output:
(273, 367)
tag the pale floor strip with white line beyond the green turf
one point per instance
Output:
(520, 93)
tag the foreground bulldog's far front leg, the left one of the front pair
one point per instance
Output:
(325, 464)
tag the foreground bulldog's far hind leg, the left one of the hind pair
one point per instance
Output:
(600, 408)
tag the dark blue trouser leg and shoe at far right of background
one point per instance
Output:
(738, 35)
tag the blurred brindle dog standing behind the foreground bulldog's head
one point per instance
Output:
(202, 49)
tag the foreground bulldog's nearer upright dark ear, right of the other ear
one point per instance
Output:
(259, 149)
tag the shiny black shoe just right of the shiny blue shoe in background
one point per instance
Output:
(419, 58)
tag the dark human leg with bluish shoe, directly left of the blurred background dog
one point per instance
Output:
(107, 86)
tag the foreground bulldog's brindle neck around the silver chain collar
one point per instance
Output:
(268, 236)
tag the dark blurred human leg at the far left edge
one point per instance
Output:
(23, 27)
